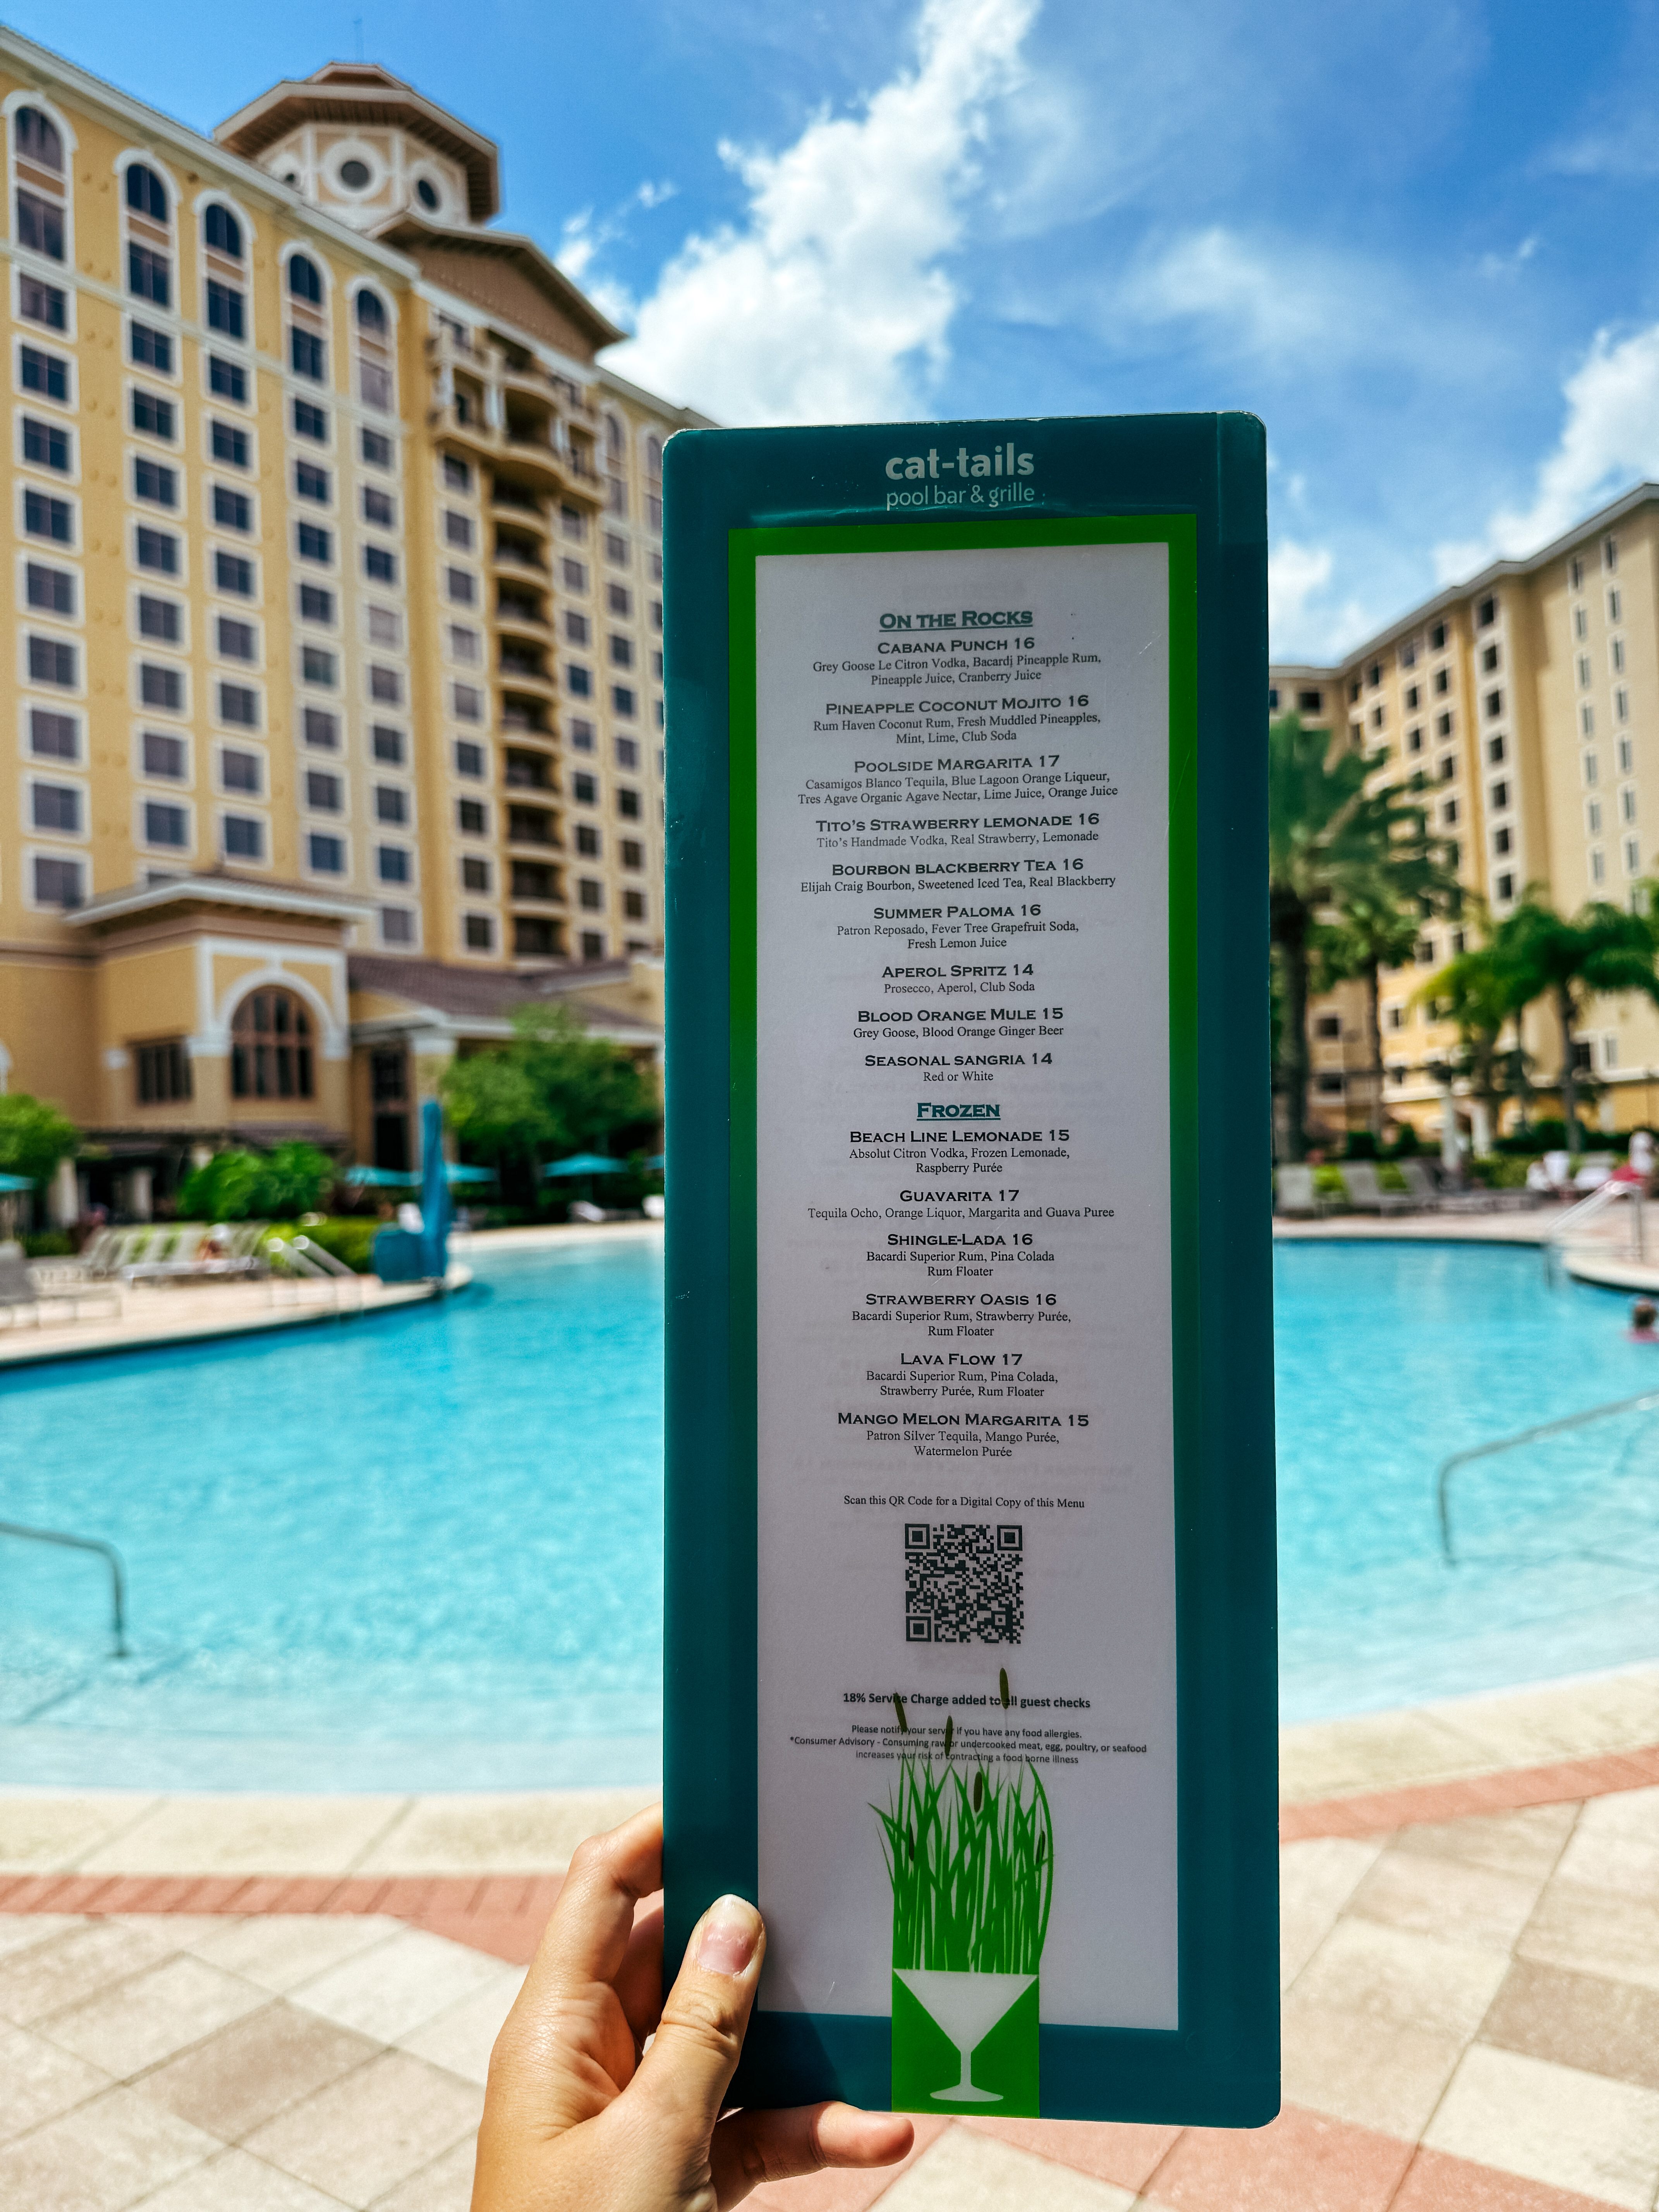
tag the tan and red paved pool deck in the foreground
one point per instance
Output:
(286, 2005)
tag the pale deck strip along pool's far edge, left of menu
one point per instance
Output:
(205, 1313)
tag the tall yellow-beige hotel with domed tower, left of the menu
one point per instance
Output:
(337, 713)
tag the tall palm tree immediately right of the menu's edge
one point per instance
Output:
(1335, 844)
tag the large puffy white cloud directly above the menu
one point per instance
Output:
(833, 302)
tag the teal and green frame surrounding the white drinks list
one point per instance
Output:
(1196, 486)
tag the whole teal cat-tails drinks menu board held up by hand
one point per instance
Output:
(970, 1494)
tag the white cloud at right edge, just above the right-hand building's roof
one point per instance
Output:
(1609, 441)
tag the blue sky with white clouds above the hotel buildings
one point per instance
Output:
(1417, 238)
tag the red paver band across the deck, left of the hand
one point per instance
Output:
(494, 1912)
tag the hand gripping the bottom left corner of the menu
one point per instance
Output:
(578, 2118)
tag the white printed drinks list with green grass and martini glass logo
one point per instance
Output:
(968, 1702)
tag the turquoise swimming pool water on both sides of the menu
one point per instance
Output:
(426, 1552)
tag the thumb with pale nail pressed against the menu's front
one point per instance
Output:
(691, 2063)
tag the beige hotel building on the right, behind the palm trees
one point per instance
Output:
(1530, 700)
